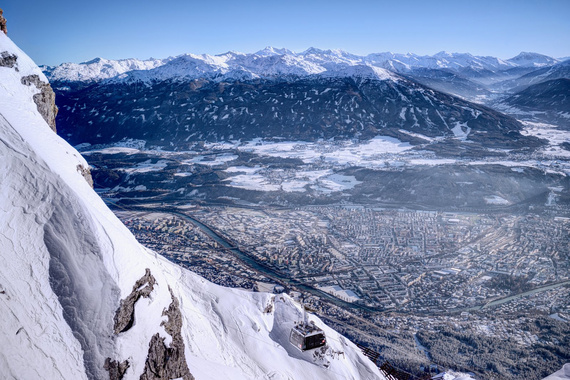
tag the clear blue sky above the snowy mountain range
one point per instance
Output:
(52, 32)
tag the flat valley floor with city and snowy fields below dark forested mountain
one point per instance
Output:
(436, 256)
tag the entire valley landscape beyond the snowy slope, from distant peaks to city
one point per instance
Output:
(396, 193)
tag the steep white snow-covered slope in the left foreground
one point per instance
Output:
(67, 262)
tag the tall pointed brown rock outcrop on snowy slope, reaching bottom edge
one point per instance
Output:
(163, 363)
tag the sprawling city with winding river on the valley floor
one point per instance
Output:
(374, 272)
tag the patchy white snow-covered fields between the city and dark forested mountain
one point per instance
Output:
(321, 162)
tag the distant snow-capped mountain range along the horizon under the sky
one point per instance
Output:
(271, 62)
